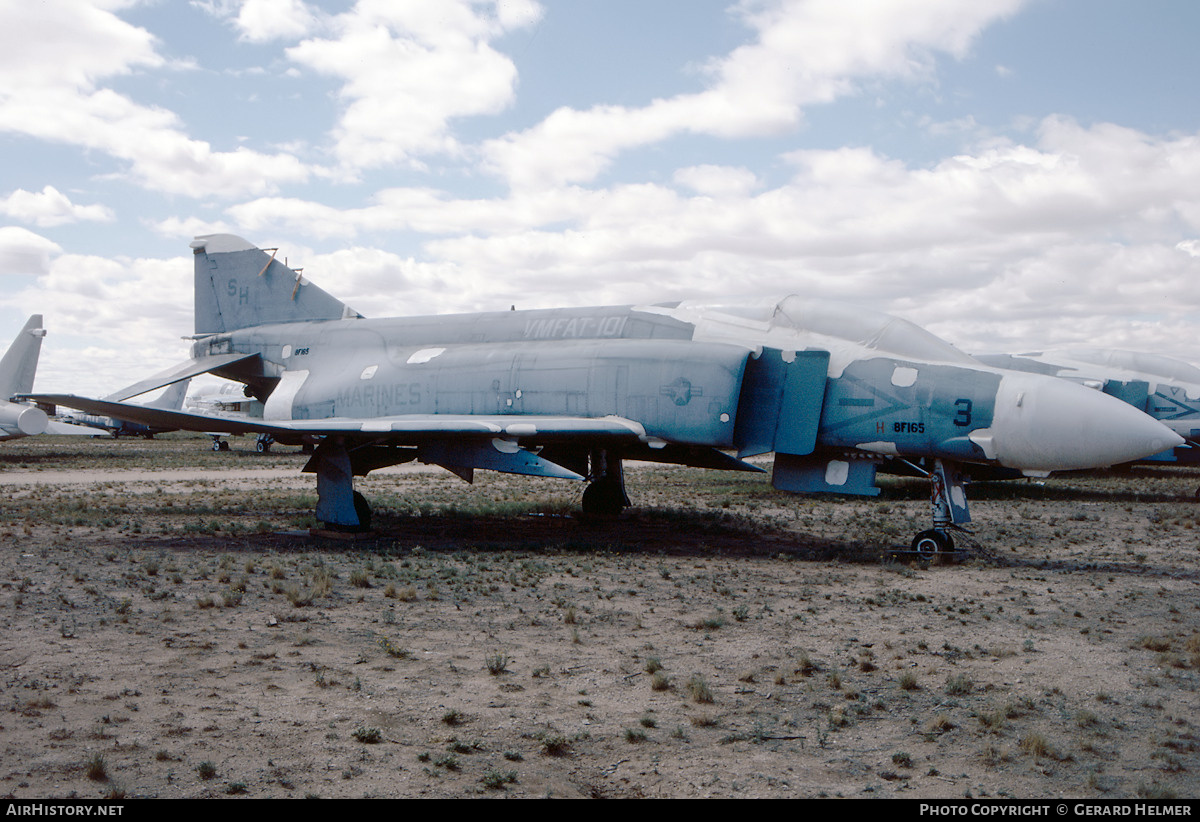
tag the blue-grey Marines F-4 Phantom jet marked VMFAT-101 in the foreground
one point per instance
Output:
(832, 391)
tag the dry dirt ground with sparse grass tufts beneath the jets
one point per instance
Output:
(172, 629)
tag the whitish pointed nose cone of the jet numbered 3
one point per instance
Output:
(1047, 424)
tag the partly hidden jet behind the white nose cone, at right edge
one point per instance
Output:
(1165, 388)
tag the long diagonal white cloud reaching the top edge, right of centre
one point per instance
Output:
(806, 52)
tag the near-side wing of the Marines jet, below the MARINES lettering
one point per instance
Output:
(410, 429)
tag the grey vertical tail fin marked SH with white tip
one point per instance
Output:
(239, 286)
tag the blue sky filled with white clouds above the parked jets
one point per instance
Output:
(1012, 175)
